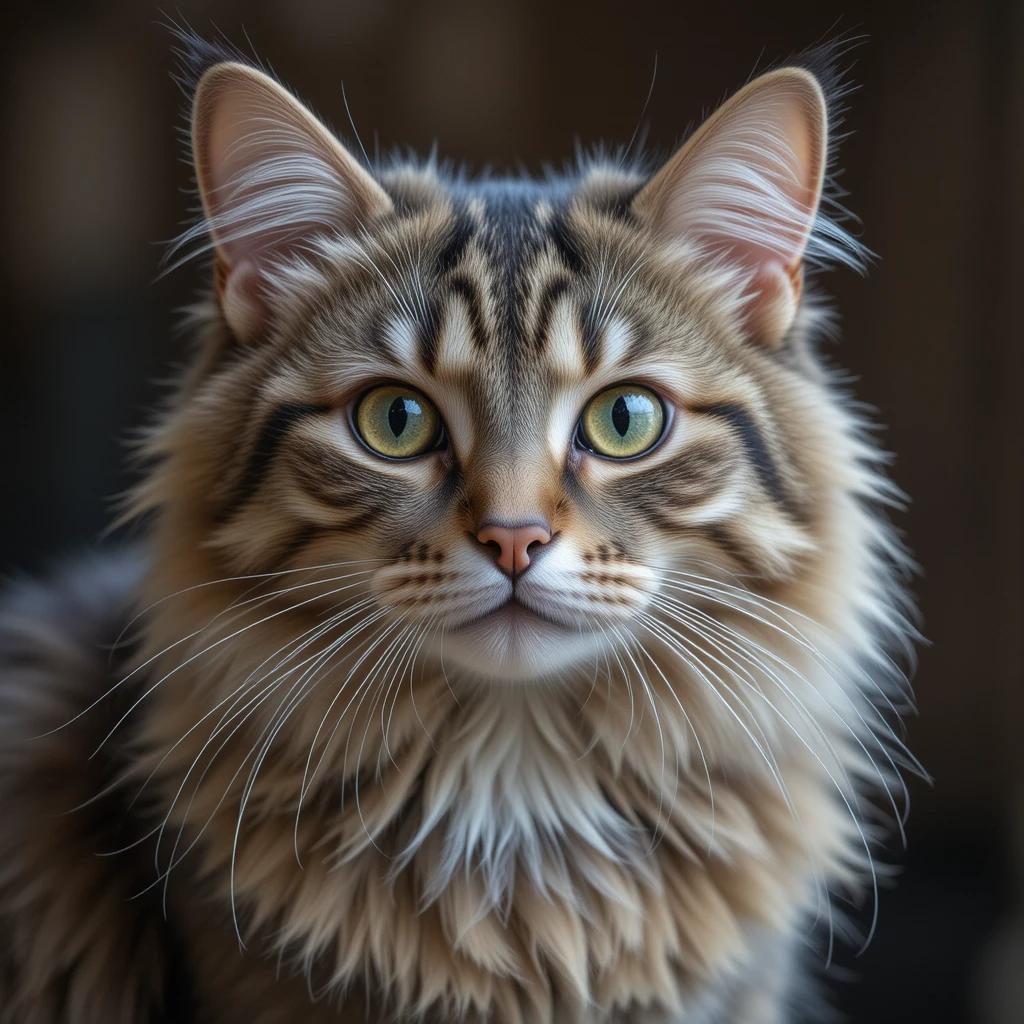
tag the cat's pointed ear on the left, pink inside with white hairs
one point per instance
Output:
(272, 178)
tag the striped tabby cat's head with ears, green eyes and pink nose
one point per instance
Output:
(511, 414)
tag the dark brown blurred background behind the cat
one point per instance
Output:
(94, 183)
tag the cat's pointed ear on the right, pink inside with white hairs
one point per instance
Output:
(747, 187)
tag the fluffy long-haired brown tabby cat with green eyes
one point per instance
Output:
(514, 634)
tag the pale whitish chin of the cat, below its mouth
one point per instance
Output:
(516, 646)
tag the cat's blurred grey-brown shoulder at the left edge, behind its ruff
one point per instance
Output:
(80, 943)
